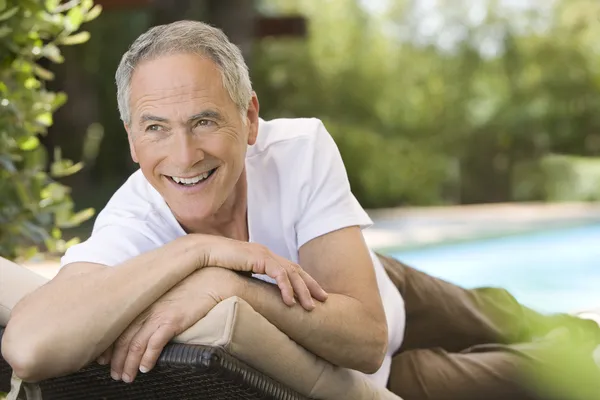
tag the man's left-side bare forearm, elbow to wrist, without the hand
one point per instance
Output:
(70, 321)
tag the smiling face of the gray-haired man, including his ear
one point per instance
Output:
(187, 135)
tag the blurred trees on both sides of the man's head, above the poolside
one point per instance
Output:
(431, 102)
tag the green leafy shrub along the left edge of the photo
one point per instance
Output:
(34, 206)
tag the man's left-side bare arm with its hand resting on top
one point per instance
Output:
(69, 322)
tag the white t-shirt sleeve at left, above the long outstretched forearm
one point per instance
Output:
(113, 241)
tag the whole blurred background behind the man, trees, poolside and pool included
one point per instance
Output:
(470, 129)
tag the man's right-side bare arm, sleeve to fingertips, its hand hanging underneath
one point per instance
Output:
(348, 330)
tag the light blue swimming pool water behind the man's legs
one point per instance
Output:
(552, 271)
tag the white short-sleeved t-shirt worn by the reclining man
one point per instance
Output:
(298, 190)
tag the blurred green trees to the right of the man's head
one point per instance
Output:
(433, 105)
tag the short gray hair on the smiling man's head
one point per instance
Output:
(192, 37)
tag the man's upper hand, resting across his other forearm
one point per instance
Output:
(291, 279)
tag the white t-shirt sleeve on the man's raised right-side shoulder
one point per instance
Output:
(326, 203)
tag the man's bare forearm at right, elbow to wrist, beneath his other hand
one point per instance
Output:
(341, 330)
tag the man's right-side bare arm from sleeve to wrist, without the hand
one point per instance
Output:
(349, 329)
